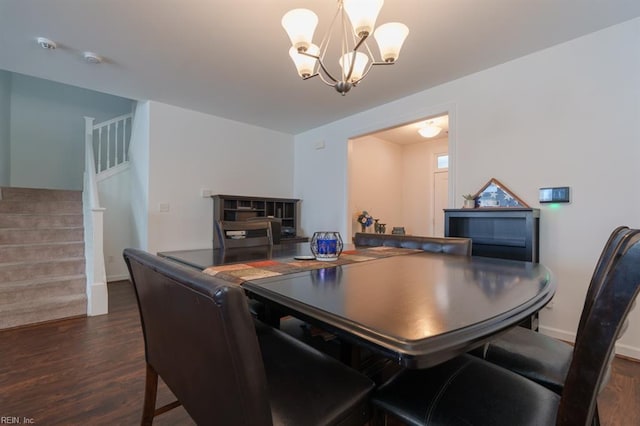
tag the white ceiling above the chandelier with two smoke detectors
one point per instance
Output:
(229, 57)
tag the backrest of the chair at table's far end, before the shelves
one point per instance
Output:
(242, 234)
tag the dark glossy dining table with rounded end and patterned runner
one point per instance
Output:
(416, 308)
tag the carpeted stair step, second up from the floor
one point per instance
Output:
(43, 289)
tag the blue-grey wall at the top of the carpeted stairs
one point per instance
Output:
(47, 130)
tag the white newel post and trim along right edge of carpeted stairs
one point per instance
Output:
(97, 295)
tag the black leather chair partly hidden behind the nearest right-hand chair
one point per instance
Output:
(541, 358)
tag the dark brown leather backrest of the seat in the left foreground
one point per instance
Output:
(201, 340)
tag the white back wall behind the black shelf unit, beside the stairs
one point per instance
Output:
(190, 151)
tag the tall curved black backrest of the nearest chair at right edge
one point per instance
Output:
(602, 326)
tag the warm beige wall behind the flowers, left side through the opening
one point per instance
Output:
(376, 181)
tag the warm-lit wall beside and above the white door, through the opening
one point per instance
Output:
(418, 168)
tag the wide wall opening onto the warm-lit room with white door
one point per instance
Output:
(392, 175)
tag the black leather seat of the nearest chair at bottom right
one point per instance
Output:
(467, 391)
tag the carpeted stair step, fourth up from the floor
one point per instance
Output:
(38, 252)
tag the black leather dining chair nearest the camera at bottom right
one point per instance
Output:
(468, 390)
